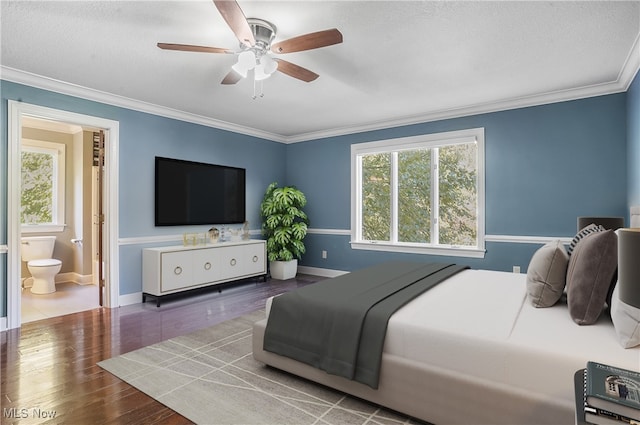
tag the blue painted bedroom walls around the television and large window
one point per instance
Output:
(546, 165)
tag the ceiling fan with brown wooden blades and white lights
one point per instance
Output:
(255, 36)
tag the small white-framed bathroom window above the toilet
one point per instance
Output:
(42, 195)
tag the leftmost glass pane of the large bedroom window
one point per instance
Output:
(376, 197)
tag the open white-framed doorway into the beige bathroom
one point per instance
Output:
(78, 243)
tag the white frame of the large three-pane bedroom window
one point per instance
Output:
(413, 143)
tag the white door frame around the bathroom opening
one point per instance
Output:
(16, 111)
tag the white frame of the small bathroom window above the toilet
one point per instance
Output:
(57, 151)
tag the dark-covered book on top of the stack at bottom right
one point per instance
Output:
(613, 389)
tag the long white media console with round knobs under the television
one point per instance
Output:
(171, 269)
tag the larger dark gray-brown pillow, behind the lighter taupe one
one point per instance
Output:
(589, 276)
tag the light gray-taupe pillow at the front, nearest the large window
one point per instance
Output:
(547, 274)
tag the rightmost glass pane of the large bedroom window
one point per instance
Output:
(458, 198)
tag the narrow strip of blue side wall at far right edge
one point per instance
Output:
(633, 137)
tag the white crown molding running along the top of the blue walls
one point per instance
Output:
(621, 84)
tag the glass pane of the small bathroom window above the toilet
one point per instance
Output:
(37, 188)
